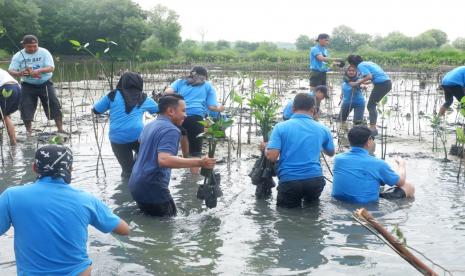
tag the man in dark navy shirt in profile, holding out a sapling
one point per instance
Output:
(159, 143)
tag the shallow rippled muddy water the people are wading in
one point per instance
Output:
(252, 237)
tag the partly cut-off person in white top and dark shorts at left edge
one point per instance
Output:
(10, 94)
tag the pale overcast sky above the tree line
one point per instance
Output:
(261, 20)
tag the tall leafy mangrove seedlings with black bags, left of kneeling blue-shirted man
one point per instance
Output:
(265, 106)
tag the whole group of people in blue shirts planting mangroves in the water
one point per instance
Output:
(59, 214)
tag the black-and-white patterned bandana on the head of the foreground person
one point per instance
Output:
(54, 161)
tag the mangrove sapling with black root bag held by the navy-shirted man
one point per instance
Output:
(210, 189)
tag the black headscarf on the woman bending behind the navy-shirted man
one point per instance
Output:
(130, 86)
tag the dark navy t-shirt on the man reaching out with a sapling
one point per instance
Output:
(149, 182)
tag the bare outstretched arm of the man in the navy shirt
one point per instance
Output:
(166, 160)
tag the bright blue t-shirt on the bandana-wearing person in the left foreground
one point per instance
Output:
(50, 220)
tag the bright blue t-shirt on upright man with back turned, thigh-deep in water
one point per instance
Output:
(300, 141)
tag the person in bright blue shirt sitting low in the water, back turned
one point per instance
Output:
(358, 175)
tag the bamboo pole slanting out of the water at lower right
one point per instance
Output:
(363, 215)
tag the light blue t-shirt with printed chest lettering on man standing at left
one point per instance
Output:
(40, 59)
